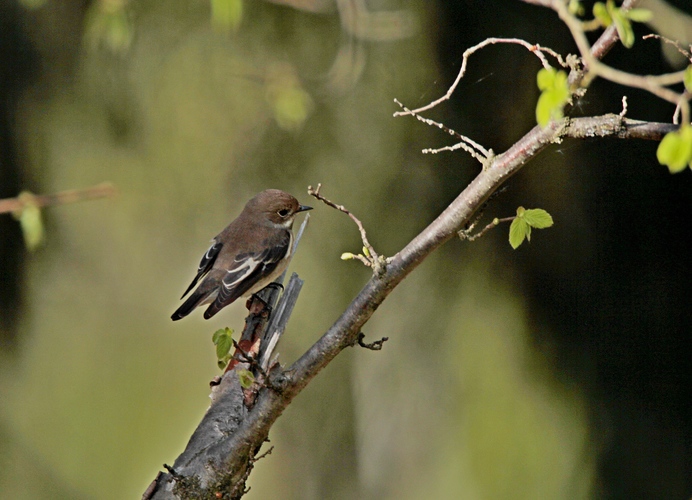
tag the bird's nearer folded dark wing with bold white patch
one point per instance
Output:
(247, 270)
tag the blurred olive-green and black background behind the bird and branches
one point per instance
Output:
(560, 370)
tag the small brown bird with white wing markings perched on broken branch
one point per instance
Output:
(247, 255)
